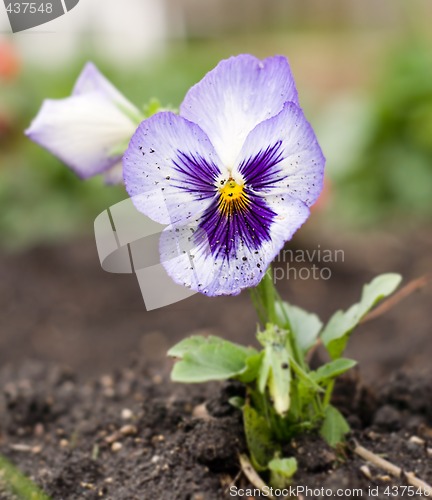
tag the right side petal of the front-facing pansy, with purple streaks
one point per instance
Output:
(282, 156)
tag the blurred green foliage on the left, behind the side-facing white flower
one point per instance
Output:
(40, 199)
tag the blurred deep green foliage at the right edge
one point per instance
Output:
(391, 177)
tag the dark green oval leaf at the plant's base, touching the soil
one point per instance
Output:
(258, 438)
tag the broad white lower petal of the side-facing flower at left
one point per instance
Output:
(82, 131)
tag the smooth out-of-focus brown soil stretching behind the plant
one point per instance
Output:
(58, 305)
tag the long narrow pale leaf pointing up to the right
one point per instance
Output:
(337, 331)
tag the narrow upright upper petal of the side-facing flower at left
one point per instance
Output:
(92, 80)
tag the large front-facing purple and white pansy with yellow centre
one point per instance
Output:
(233, 176)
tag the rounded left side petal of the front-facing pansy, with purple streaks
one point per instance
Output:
(171, 169)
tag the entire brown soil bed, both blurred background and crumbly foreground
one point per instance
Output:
(83, 426)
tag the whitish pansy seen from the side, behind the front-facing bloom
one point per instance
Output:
(86, 129)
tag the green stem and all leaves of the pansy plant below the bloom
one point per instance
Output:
(284, 396)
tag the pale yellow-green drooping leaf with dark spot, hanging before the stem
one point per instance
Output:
(275, 371)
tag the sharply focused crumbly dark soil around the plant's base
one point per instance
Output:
(133, 435)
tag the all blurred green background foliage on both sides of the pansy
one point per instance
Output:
(387, 174)
